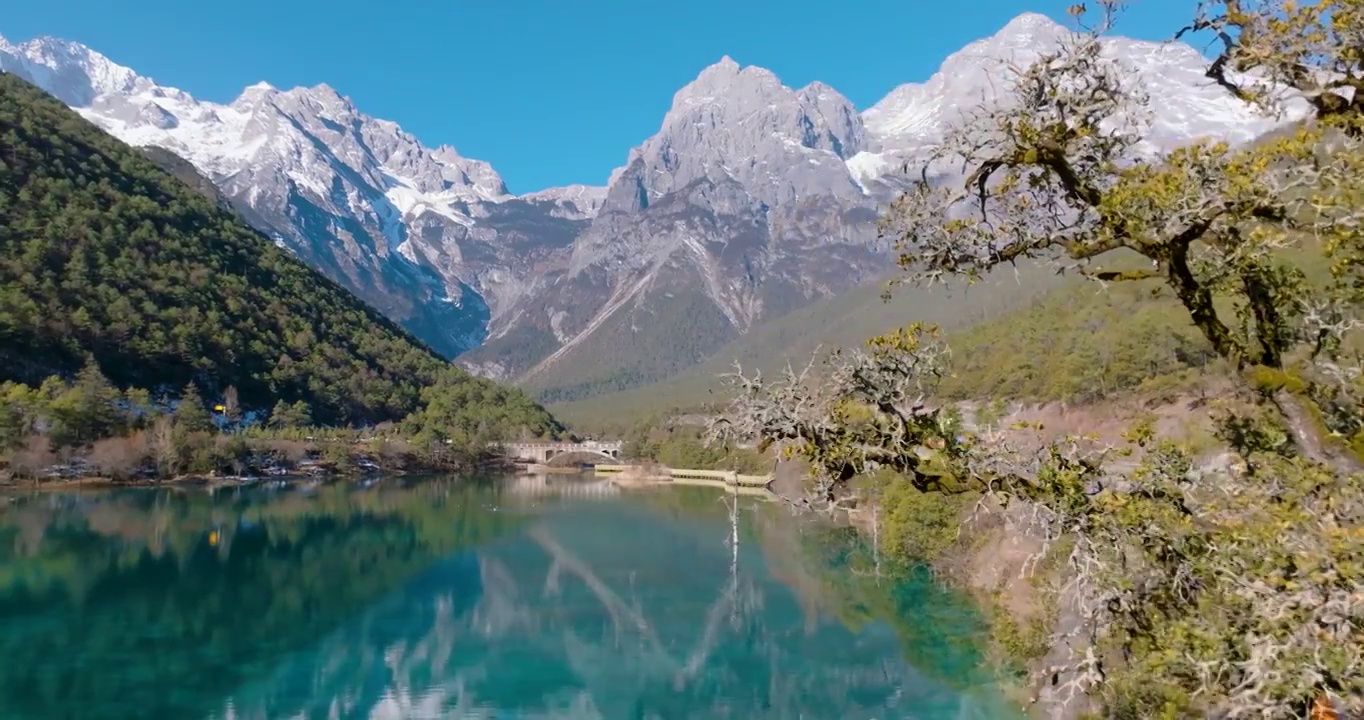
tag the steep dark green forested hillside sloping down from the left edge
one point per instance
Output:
(106, 256)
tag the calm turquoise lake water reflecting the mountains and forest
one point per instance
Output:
(459, 599)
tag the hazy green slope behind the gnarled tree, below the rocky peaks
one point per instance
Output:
(1037, 339)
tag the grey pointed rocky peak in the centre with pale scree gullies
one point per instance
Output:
(740, 209)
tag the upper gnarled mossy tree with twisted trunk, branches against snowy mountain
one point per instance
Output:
(1062, 174)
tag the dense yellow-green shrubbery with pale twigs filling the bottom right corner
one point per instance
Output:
(1241, 587)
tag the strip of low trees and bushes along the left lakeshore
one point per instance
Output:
(126, 437)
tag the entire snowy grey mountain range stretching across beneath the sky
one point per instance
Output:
(751, 201)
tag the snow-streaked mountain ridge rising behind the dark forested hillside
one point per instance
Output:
(350, 194)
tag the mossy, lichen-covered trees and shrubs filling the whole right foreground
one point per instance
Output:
(1197, 590)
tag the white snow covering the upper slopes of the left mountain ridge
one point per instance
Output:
(257, 130)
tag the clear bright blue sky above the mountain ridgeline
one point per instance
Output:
(550, 93)
